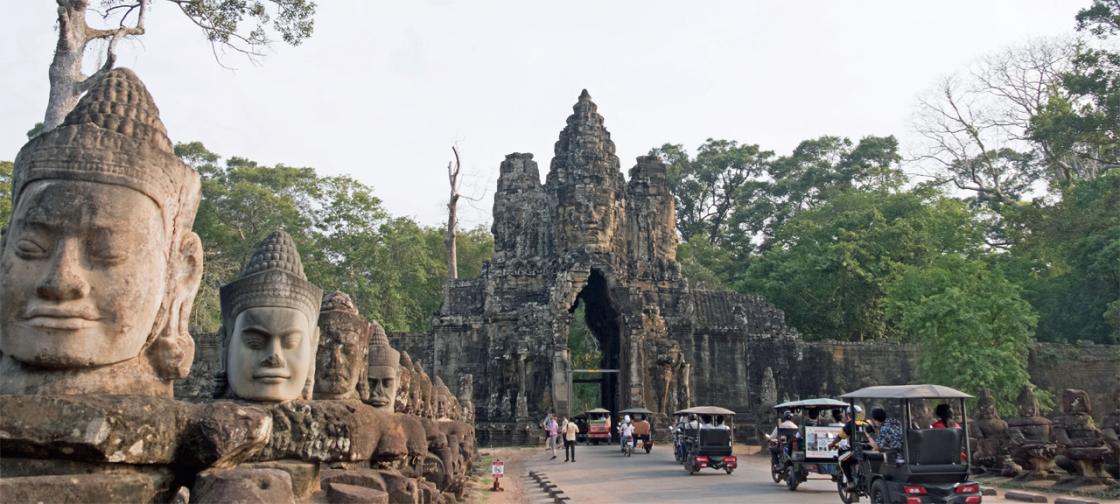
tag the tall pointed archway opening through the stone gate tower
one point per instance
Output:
(595, 343)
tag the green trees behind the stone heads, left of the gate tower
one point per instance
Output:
(393, 268)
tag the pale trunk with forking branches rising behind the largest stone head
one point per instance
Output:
(68, 81)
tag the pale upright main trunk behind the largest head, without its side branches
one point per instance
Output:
(66, 73)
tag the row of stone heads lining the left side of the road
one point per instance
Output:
(99, 273)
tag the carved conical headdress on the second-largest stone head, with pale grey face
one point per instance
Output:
(274, 277)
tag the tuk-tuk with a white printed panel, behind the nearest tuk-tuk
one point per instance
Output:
(796, 453)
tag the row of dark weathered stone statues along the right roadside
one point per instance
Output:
(1032, 446)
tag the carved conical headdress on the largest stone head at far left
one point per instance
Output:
(115, 136)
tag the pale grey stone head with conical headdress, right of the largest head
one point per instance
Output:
(269, 332)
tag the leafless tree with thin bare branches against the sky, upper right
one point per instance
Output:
(976, 125)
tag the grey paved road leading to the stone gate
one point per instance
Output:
(603, 475)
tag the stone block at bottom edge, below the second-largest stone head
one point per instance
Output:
(248, 487)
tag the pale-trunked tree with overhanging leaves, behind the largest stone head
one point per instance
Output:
(221, 22)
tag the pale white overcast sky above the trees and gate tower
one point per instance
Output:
(384, 89)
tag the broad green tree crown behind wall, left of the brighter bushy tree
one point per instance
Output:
(828, 268)
